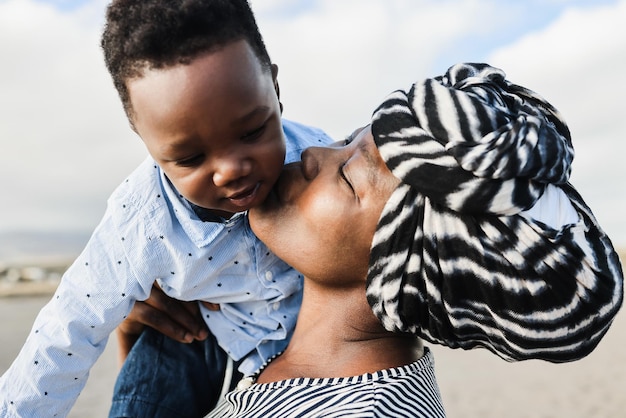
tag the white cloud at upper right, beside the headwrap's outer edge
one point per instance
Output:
(578, 63)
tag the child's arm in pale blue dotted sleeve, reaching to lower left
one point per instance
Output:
(69, 334)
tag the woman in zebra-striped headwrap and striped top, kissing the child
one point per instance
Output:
(450, 218)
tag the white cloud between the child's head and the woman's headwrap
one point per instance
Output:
(340, 58)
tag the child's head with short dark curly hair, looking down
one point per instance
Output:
(198, 87)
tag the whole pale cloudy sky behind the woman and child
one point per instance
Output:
(65, 143)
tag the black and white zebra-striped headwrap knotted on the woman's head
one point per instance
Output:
(455, 258)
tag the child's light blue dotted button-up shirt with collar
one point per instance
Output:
(149, 232)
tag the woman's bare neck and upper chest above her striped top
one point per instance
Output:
(338, 335)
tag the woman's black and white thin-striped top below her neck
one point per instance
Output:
(409, 391)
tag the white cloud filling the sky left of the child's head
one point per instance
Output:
(63, 136)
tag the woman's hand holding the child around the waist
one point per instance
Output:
(176, 319)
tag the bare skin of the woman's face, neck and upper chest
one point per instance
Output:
(344, 189)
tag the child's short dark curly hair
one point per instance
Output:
(148, 34)
